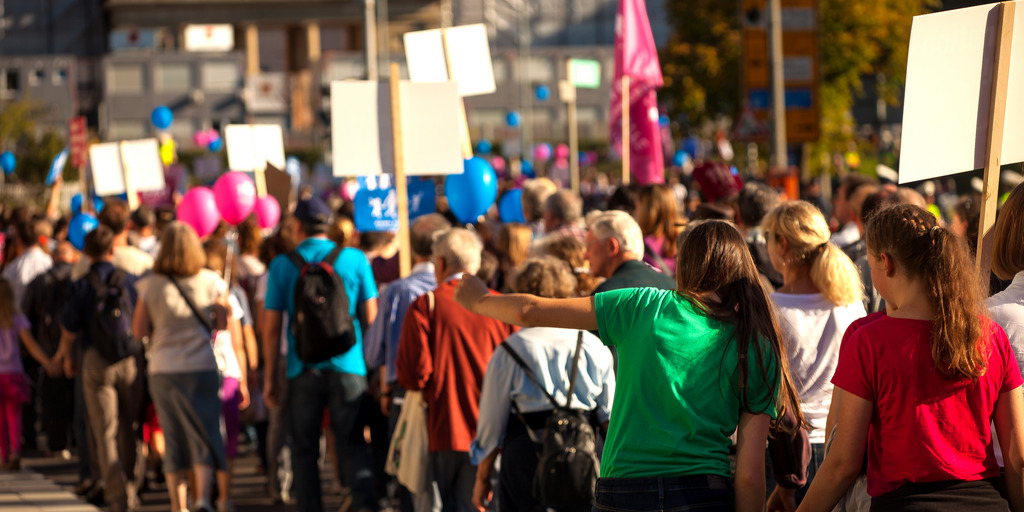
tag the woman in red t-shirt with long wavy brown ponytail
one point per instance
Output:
(920, 386)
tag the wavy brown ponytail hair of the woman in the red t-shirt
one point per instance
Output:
(929, 252)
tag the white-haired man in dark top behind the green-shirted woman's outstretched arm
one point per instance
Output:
(615, 250)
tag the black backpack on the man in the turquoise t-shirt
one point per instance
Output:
(323, 326)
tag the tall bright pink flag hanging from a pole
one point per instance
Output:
(636, 57)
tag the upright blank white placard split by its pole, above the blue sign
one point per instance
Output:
(363, 137)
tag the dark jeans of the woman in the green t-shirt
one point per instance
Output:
(674, 494)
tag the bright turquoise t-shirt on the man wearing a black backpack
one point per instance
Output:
(355, 272)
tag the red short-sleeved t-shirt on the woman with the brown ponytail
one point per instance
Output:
(925, 428)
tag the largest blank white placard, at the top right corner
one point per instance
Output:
(949, 91)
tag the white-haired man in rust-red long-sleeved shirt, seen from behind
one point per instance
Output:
(444, 352)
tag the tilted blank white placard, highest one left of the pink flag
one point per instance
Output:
(463, 57)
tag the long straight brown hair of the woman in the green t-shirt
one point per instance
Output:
(718, 264)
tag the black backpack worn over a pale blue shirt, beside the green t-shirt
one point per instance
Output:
(568, 472)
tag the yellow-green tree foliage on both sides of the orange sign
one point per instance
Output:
(703, 67)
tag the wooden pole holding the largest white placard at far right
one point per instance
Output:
(994, 149)
